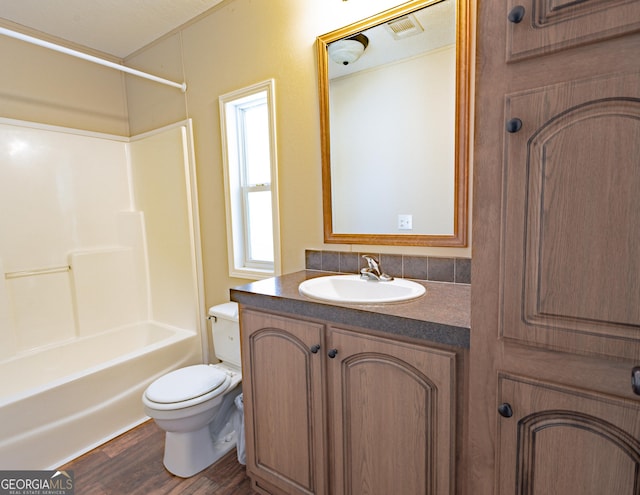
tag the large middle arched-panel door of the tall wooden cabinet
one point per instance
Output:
(572, 178)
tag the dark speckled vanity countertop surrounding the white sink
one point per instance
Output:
(441, 316)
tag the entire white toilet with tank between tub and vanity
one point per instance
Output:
(195, 404)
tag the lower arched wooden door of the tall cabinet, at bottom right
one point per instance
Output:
(562, 440)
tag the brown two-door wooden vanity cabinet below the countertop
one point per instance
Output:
(330, 410)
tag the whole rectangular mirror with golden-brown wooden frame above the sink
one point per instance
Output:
(394, 116)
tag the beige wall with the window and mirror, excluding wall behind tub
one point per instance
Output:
(239, 43)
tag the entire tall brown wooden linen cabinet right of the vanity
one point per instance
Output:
(556, 248)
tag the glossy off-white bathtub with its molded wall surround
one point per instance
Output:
(101, 290)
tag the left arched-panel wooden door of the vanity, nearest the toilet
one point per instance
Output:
(283, 404)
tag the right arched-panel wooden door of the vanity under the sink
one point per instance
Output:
(392, 416)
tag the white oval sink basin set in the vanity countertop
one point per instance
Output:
(352, 289)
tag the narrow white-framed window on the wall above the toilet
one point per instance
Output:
(247, 118)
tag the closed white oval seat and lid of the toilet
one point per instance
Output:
(186, 387)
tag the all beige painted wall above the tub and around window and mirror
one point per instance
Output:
(237, 44)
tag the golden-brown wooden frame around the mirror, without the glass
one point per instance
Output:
(462, 124)
